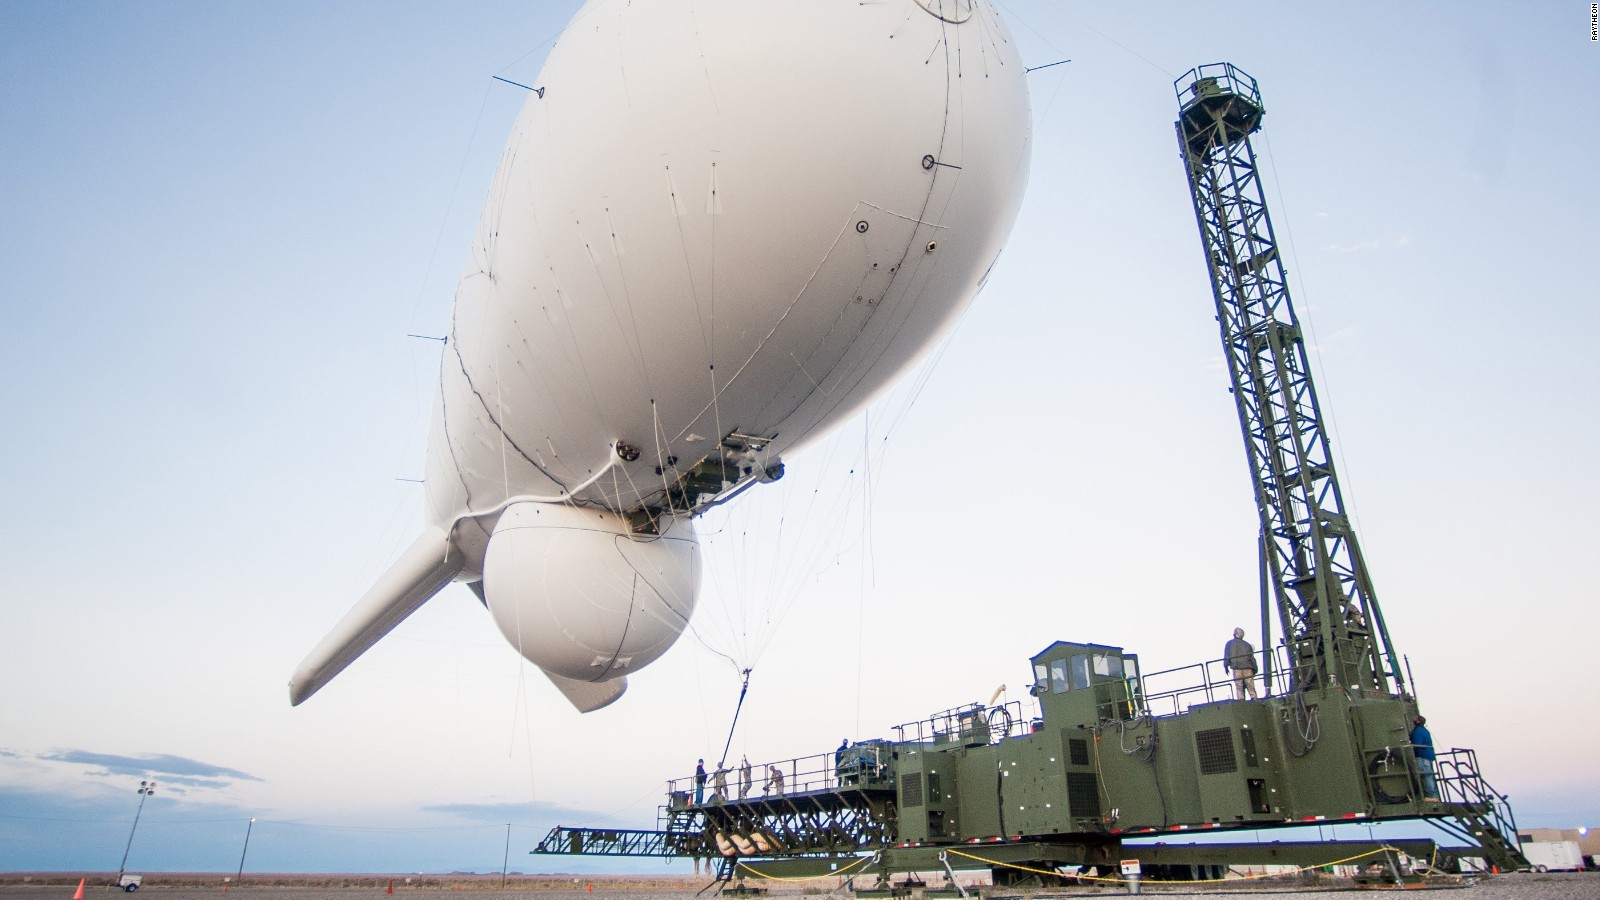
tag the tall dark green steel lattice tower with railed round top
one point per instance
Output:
(1326, 605)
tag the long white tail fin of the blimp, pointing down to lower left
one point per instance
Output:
(422, 573)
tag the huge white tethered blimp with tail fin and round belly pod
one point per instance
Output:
(716, 233)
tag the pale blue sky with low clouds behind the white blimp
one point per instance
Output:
(223, 220)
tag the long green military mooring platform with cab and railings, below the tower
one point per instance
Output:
(1110, 761)
